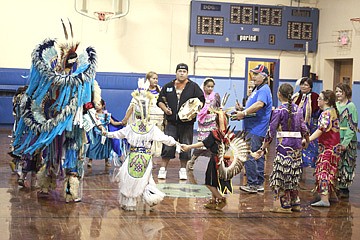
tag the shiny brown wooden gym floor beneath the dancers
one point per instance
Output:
(180, 216)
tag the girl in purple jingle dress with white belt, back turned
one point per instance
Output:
(287, 124)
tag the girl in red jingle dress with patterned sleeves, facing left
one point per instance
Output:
(328, 133)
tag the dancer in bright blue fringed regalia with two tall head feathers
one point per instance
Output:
(60, 82)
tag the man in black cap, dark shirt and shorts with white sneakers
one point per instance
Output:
(172, 96)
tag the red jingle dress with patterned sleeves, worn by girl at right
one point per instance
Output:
(329, 155)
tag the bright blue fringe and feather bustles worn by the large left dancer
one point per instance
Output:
(52, 105)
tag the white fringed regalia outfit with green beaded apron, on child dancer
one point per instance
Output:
(135, 175)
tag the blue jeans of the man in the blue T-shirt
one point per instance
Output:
(255, 168)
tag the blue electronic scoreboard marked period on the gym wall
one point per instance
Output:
(237, 25)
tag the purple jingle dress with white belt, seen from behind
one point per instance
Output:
(287, 163)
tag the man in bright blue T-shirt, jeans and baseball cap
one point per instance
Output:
(260, 103)
